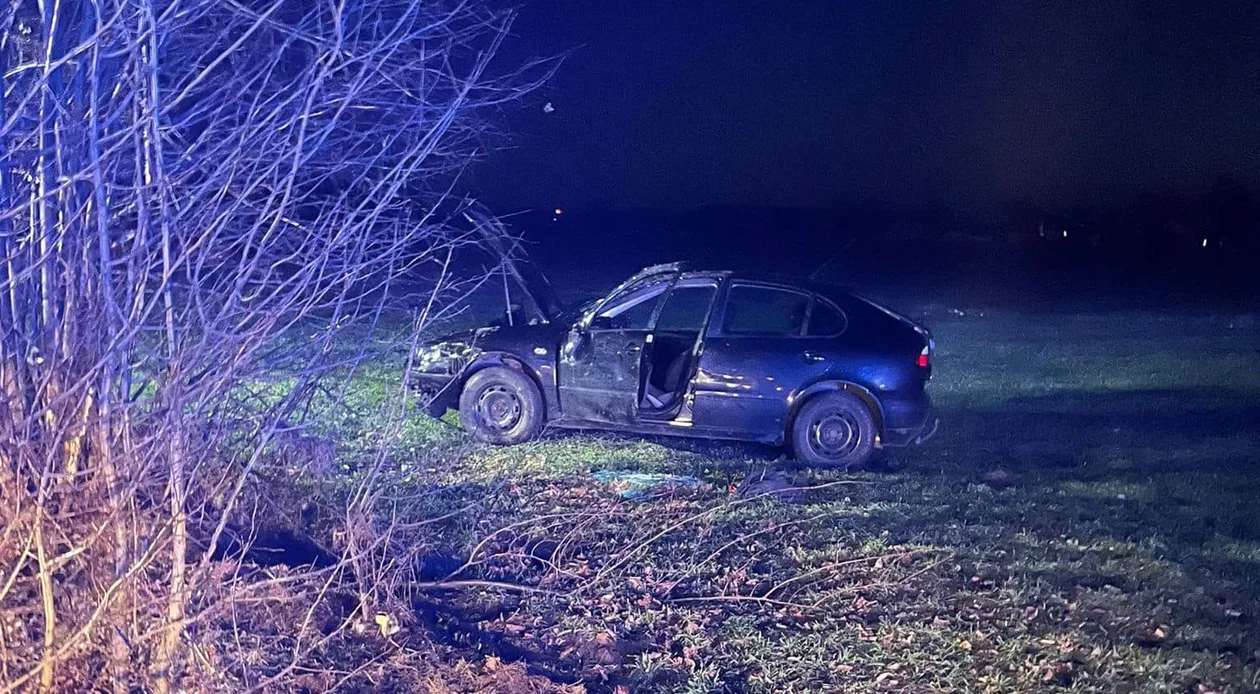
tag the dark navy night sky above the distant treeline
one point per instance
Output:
(826, 103)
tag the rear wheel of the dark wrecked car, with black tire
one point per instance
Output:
(835, 430)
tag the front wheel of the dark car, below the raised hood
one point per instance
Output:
(502, 406)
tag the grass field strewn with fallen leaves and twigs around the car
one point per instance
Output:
(1084, 522)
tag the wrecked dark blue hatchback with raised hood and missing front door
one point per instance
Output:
(710, 355)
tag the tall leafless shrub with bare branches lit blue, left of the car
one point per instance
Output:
(183, 186)
